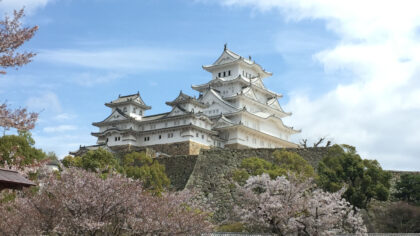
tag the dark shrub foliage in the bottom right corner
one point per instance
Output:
(397, 217)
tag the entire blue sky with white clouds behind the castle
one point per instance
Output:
(349, 70)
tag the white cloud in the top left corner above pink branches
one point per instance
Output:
(30, 5)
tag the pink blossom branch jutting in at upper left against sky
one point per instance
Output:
(12, 36)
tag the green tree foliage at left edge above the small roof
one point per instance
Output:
(15, 150)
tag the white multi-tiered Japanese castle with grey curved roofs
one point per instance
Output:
(233, 110)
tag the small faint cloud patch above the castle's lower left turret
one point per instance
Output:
(47, 101)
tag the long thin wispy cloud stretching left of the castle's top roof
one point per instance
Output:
(123, 59)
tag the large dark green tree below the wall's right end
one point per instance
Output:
(364, 179)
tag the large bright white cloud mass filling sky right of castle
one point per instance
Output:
(378, 110)
